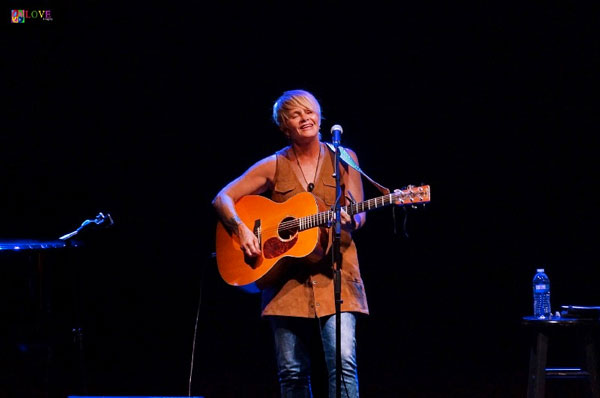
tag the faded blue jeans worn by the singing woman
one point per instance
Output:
(292, 349)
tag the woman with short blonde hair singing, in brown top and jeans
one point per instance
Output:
(304, 298)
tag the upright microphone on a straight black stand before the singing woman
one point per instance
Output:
(337, 257)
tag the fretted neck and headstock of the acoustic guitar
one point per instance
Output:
(409, 196)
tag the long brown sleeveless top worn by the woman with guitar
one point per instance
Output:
(307, 288)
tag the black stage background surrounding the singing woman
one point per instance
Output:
(146, 111)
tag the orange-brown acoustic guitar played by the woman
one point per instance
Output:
(289, 230)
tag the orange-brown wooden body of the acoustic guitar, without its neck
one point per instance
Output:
(278, 245)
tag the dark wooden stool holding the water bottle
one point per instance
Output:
(538, 373)
